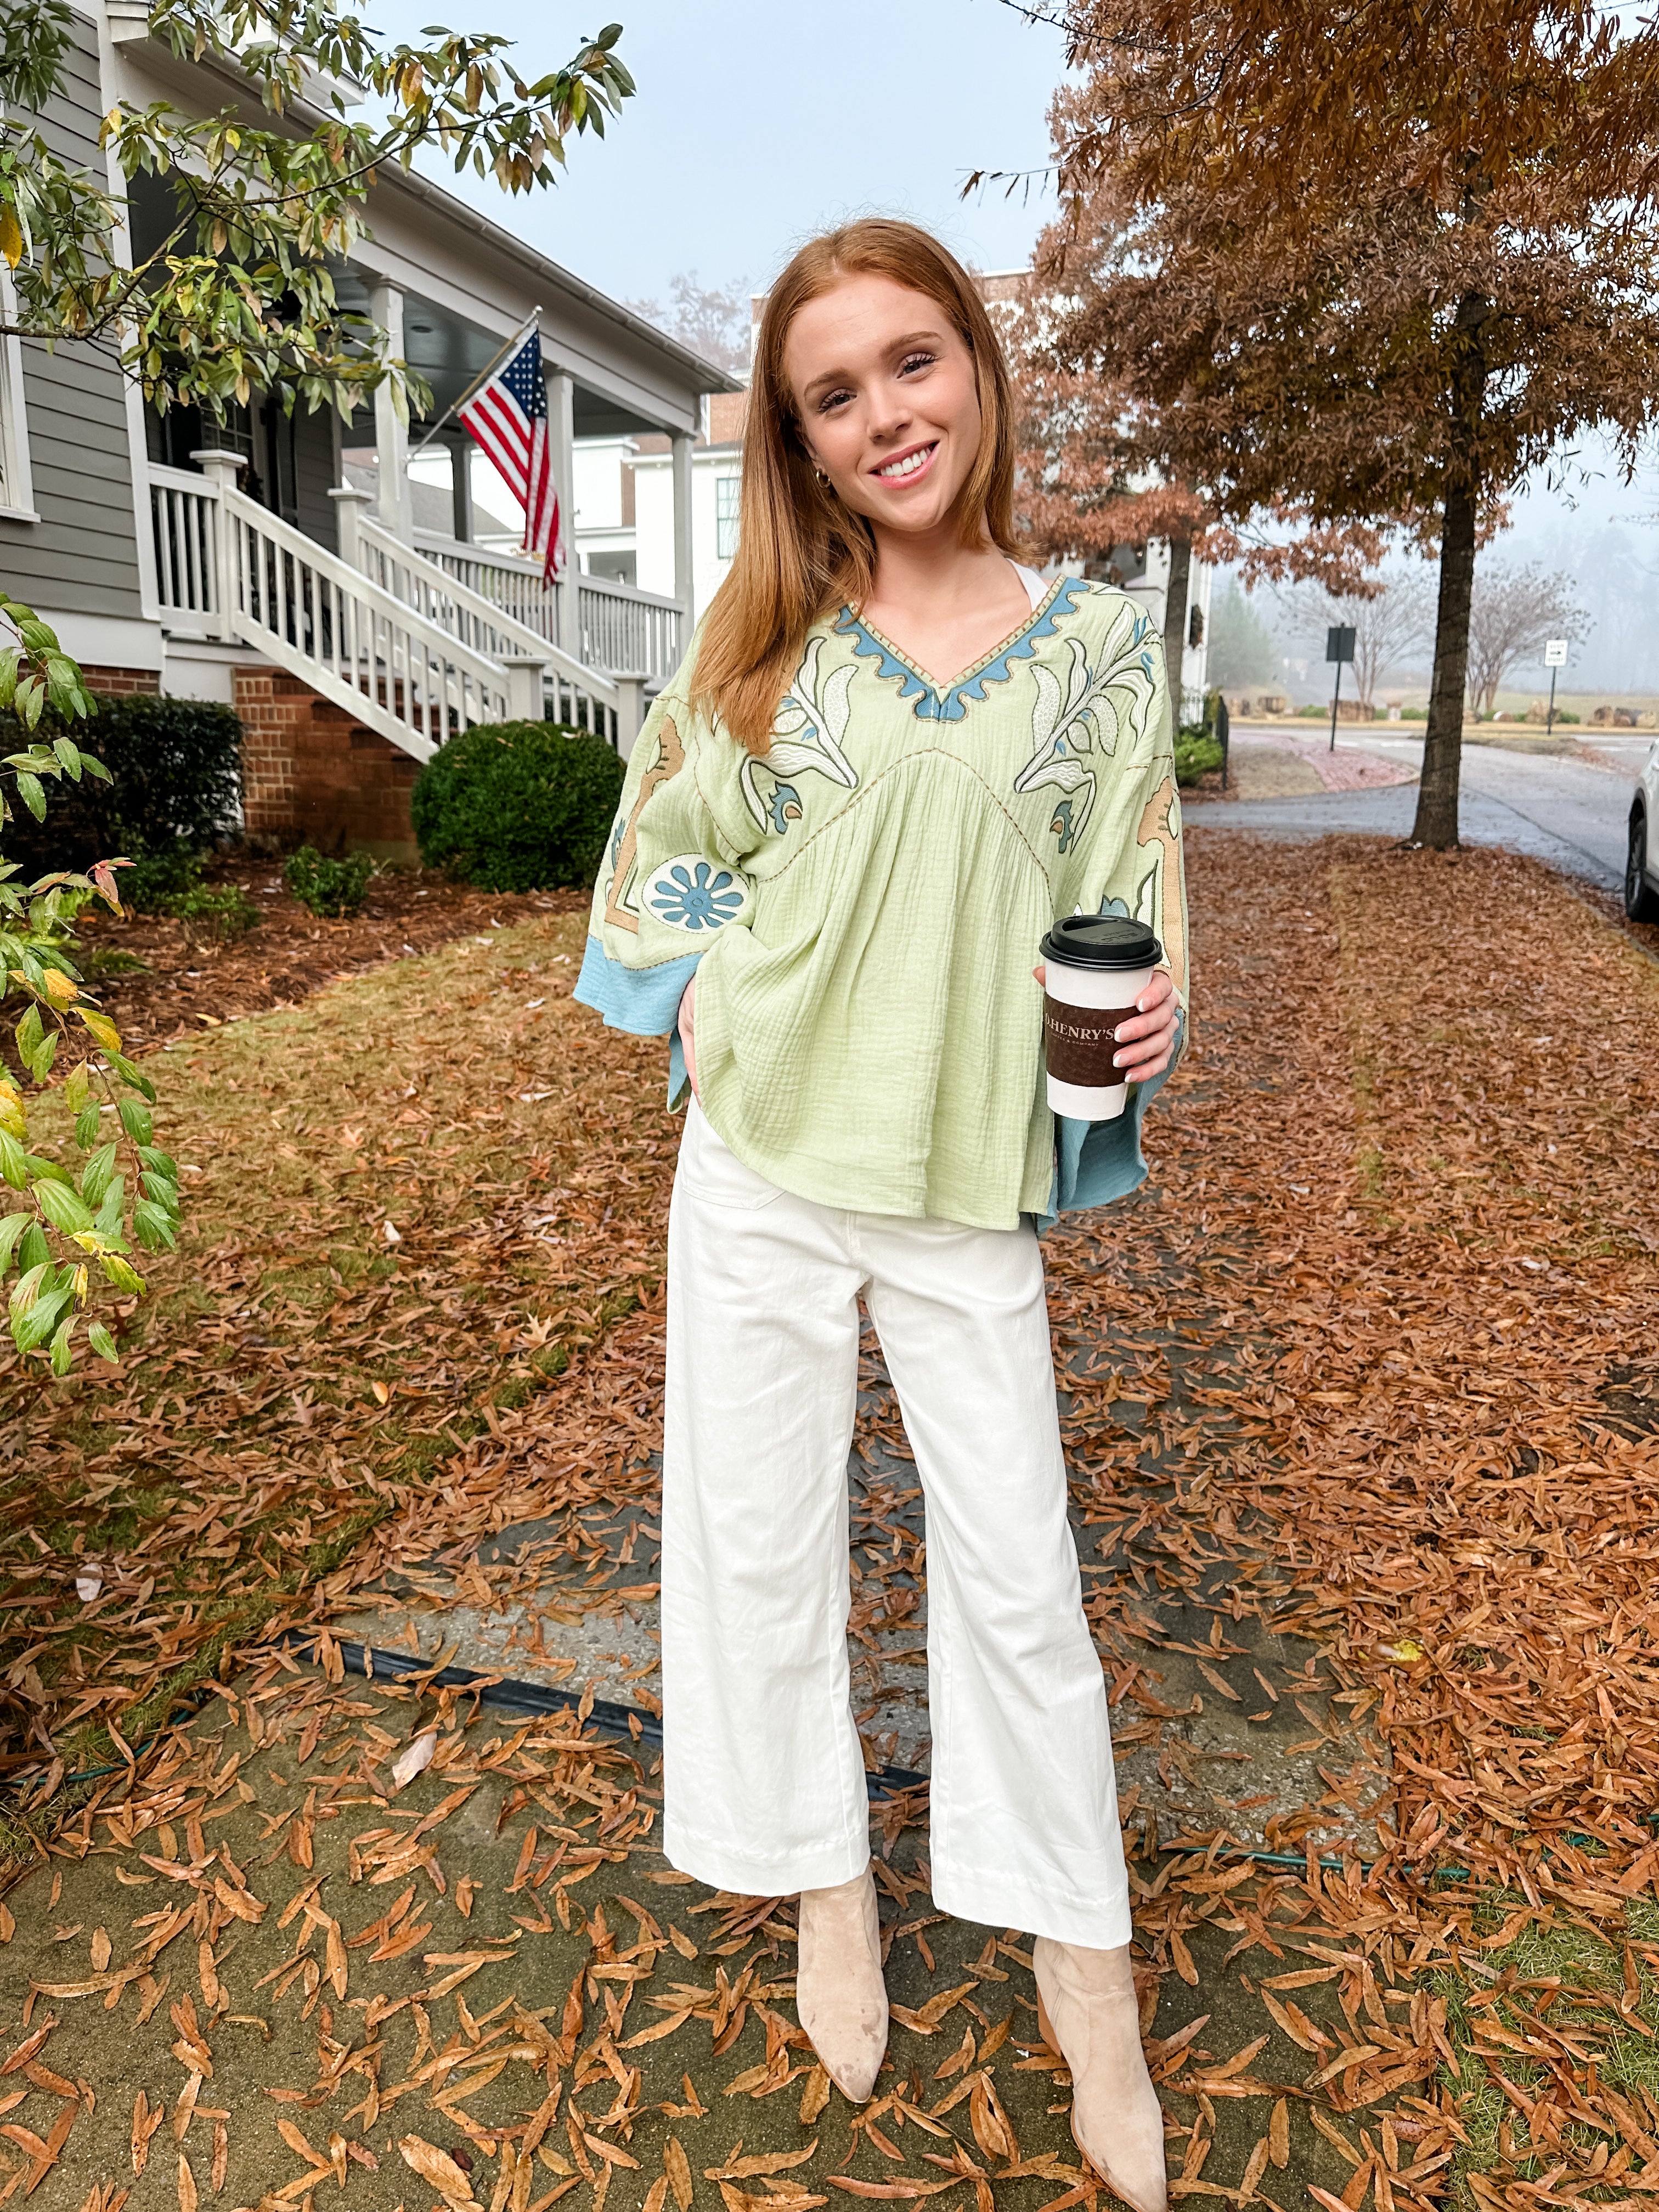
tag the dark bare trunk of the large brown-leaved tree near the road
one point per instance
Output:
(1443, 740)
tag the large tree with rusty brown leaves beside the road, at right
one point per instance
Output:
(1370, 269)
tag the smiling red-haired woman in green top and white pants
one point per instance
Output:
(828, 881)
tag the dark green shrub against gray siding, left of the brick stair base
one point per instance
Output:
(176, 780)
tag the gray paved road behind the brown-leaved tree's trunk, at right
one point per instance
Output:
(1567, 813)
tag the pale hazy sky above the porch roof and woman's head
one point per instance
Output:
(753, 127)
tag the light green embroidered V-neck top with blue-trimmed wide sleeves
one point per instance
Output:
(864, 906)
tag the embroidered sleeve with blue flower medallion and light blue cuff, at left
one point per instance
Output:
(667, 888)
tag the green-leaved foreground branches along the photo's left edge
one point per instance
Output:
(238, 300)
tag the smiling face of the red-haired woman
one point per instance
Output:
(886, 399)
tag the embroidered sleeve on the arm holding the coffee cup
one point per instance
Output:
(1127, 859)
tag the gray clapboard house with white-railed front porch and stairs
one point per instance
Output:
(286, 563)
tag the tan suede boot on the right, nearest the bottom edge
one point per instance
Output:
(1089, 2018)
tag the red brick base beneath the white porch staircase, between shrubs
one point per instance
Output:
(315, 775)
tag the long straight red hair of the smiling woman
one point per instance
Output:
(800, 552)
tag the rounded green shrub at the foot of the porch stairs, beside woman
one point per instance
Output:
(519, 806)
